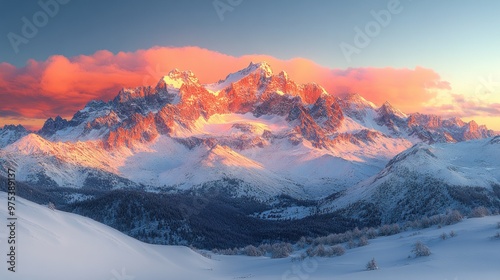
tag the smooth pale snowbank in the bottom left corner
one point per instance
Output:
(55, 245)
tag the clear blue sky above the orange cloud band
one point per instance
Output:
(435, 34)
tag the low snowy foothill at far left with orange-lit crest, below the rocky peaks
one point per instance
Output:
(64, 164)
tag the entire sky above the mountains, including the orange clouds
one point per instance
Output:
(438, 57)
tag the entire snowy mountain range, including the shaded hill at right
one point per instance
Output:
(260, 135)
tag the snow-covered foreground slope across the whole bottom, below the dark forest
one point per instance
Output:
(58, 245)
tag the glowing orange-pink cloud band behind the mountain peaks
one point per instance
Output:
(62, 85)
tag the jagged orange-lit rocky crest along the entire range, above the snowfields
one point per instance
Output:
(179, 100)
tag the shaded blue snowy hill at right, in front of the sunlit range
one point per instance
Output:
(428, 179)
